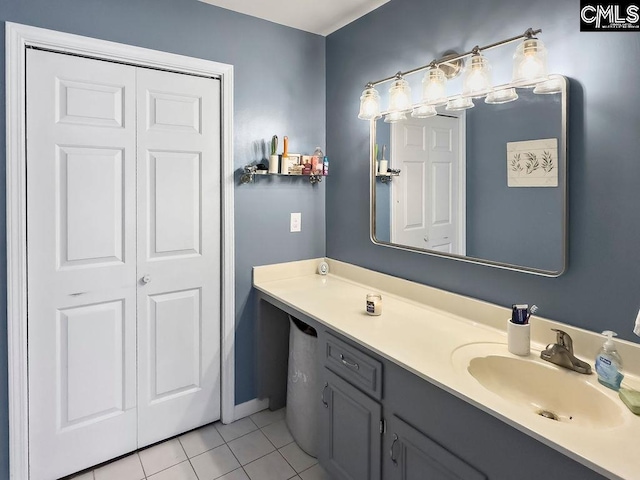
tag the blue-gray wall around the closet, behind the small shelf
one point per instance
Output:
(279, 89)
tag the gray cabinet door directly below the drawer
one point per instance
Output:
(350, 431)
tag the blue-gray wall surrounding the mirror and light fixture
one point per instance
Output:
(601, 288)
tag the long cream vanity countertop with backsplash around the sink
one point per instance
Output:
(420, 329)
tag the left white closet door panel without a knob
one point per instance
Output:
(81, 241)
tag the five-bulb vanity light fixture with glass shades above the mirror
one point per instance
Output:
(529, 70)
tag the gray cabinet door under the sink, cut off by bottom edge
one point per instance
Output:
(414, 456)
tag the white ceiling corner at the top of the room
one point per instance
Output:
(321, 17)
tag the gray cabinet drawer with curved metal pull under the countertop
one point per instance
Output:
(356, 367)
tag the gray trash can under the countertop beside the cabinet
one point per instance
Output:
(302, 398)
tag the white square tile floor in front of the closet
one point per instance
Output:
(258, 447)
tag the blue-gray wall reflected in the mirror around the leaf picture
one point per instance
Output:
(520, 226)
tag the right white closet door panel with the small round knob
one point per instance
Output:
(178, 253)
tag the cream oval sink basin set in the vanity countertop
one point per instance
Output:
(538, 386)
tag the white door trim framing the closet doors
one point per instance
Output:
(18, 39)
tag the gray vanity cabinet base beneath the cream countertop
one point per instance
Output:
(439, 436)
